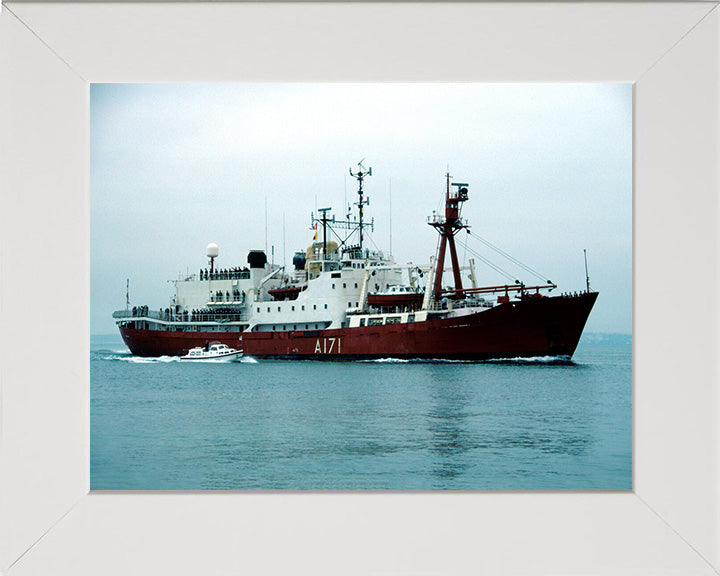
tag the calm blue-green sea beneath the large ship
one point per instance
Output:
(158, 424)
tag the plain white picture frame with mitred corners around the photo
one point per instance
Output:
(50, 523)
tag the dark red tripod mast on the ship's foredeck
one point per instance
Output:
(447, 227)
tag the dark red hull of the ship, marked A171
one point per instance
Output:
(532, 327)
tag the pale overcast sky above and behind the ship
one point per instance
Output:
(177, 166)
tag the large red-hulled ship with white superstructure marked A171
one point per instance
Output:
(342, 300)
